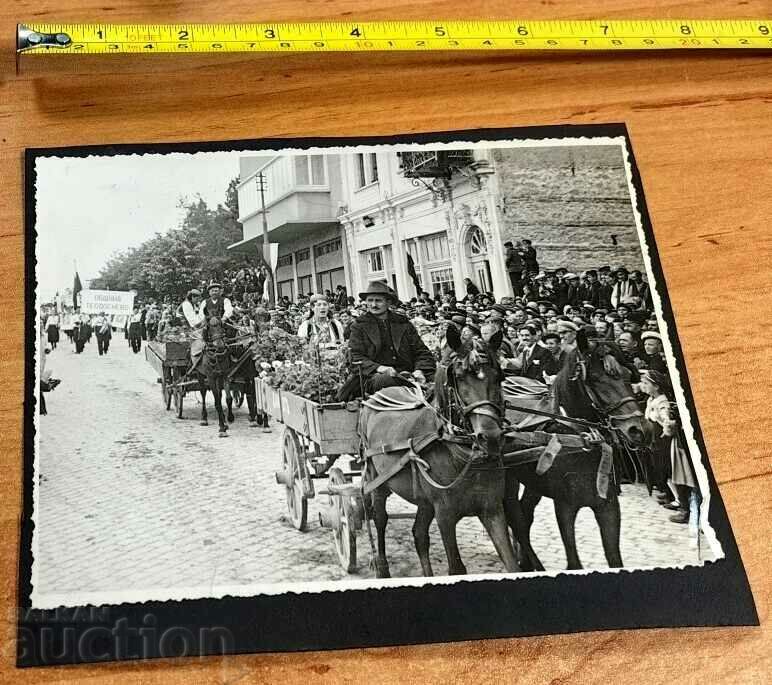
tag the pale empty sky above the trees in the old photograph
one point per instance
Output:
(90, 207)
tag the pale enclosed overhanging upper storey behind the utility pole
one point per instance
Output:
(297, 196)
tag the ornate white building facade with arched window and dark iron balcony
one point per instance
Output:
(442, 232)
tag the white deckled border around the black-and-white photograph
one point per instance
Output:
(49, 601)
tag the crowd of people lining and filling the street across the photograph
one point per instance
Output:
(542, 317)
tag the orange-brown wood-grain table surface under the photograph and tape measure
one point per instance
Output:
(701, 127)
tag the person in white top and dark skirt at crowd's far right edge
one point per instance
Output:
(671, 461)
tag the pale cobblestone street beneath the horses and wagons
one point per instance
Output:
(132, 498)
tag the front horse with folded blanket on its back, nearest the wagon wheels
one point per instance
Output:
(444, 479)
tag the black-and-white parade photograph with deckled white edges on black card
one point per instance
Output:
(346, 367)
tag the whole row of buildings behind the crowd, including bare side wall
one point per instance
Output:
(375, 215)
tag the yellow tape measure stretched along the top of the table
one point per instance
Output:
(640, 34)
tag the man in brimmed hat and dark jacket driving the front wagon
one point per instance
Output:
(385, 345)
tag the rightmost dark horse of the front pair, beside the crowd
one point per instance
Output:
(592, 385)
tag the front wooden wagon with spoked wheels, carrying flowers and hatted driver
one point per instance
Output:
(314, 436)
